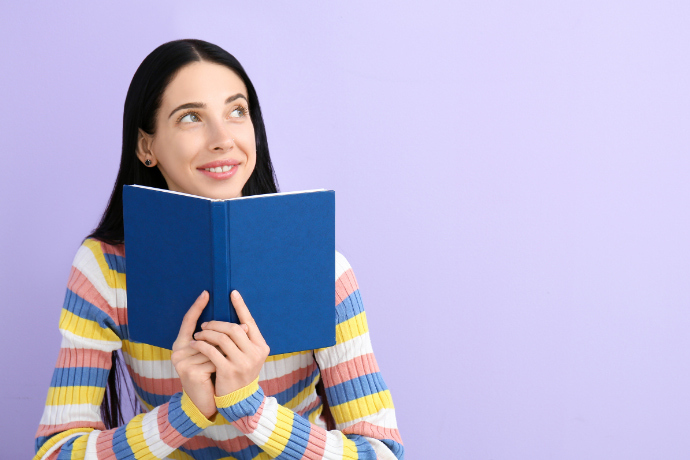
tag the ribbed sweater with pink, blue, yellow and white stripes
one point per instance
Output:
(277, 416)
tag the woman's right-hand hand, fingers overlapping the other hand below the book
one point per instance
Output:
(237, 351)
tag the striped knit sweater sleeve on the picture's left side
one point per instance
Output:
(90, 323)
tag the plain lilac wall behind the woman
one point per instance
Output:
(512, 190)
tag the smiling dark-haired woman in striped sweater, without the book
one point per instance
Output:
(192, 123)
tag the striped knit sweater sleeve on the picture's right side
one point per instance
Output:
(359, 399)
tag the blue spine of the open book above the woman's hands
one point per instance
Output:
(220, 297)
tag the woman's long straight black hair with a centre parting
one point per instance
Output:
(141, 108)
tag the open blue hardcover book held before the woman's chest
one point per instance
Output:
(277, 250)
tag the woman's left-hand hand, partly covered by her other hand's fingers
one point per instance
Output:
(193, 367)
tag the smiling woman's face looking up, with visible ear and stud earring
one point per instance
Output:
(204, 142)
